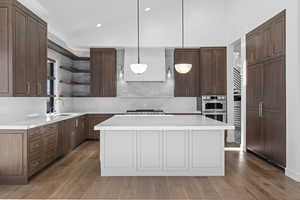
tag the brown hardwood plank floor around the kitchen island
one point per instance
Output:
(77, 177)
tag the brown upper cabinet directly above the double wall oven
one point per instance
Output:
(213, 71)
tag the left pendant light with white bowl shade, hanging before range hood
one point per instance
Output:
(138, 68)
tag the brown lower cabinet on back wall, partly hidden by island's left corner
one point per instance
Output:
(93, 120)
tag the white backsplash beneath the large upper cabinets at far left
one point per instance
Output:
(17, 109)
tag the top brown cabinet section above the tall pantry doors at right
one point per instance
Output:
(267, 41)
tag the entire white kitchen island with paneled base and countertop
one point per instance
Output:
(162, 145)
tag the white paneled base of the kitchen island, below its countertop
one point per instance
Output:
(162, 153)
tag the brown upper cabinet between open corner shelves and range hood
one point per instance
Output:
(103, 72)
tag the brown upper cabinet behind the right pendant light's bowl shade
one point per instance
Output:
(187, 85)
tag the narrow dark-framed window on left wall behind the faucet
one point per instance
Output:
(50, 88)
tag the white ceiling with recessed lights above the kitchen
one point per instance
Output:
(74, 21)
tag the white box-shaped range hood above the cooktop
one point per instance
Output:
(155, 58)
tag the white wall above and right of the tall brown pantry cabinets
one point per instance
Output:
(242, 17)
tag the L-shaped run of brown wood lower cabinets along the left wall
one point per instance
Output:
(25, 153)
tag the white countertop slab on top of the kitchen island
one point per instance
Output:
(161, 122)
